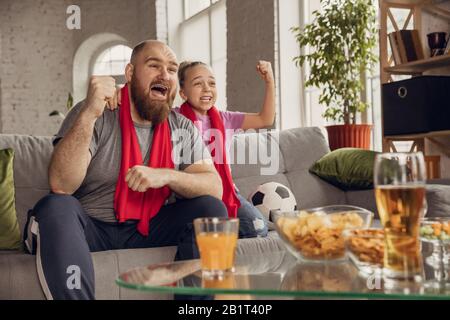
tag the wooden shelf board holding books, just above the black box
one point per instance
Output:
(420, 66)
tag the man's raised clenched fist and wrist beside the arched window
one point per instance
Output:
(102, 91)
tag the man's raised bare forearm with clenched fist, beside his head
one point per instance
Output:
(71, 156)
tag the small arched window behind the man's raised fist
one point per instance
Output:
(112, 62)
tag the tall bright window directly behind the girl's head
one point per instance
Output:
(199, 33)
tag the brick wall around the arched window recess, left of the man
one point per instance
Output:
(37, 50)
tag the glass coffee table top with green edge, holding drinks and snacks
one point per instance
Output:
(277, 275)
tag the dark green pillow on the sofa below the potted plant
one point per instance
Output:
(348, 168)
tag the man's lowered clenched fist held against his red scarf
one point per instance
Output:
(142, 178)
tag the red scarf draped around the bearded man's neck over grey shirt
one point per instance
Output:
(129, 204)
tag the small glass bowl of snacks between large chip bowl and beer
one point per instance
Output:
(365, 248)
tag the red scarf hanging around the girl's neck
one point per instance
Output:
(229, 197)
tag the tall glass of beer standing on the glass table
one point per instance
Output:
(399, 180)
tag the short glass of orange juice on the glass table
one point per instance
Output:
(216, 240)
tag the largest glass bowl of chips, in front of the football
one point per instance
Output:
(316, 234)
